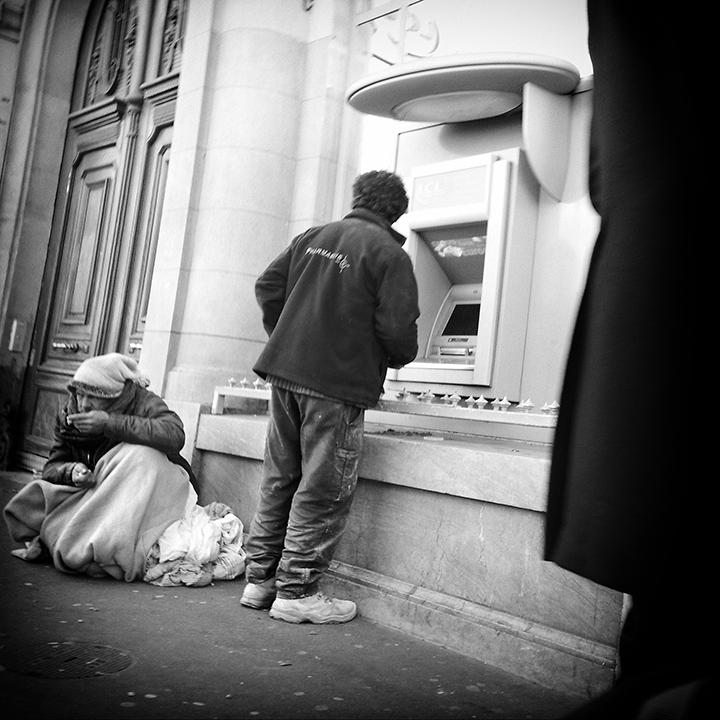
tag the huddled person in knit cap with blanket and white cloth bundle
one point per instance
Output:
(116, 497)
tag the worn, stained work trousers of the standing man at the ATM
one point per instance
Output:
(310, 471)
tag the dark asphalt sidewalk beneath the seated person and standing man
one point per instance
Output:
(77, 647)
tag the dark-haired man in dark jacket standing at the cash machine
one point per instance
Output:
(340, 306)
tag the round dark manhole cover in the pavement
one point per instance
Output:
(67, 660)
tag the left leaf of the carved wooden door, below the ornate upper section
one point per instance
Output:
(78, 281)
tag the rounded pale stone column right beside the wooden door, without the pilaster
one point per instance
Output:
(229, 192)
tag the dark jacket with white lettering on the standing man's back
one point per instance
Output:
(340, 305)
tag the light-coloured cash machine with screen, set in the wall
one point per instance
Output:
(472, 226)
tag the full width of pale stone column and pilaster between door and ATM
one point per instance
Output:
(262, 148)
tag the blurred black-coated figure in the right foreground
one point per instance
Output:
(628, 503)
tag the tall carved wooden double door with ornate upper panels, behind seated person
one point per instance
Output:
(101, 253)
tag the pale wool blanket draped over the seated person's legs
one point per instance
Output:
(110, 528)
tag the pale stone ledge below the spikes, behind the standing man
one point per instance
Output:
(499, 471)
